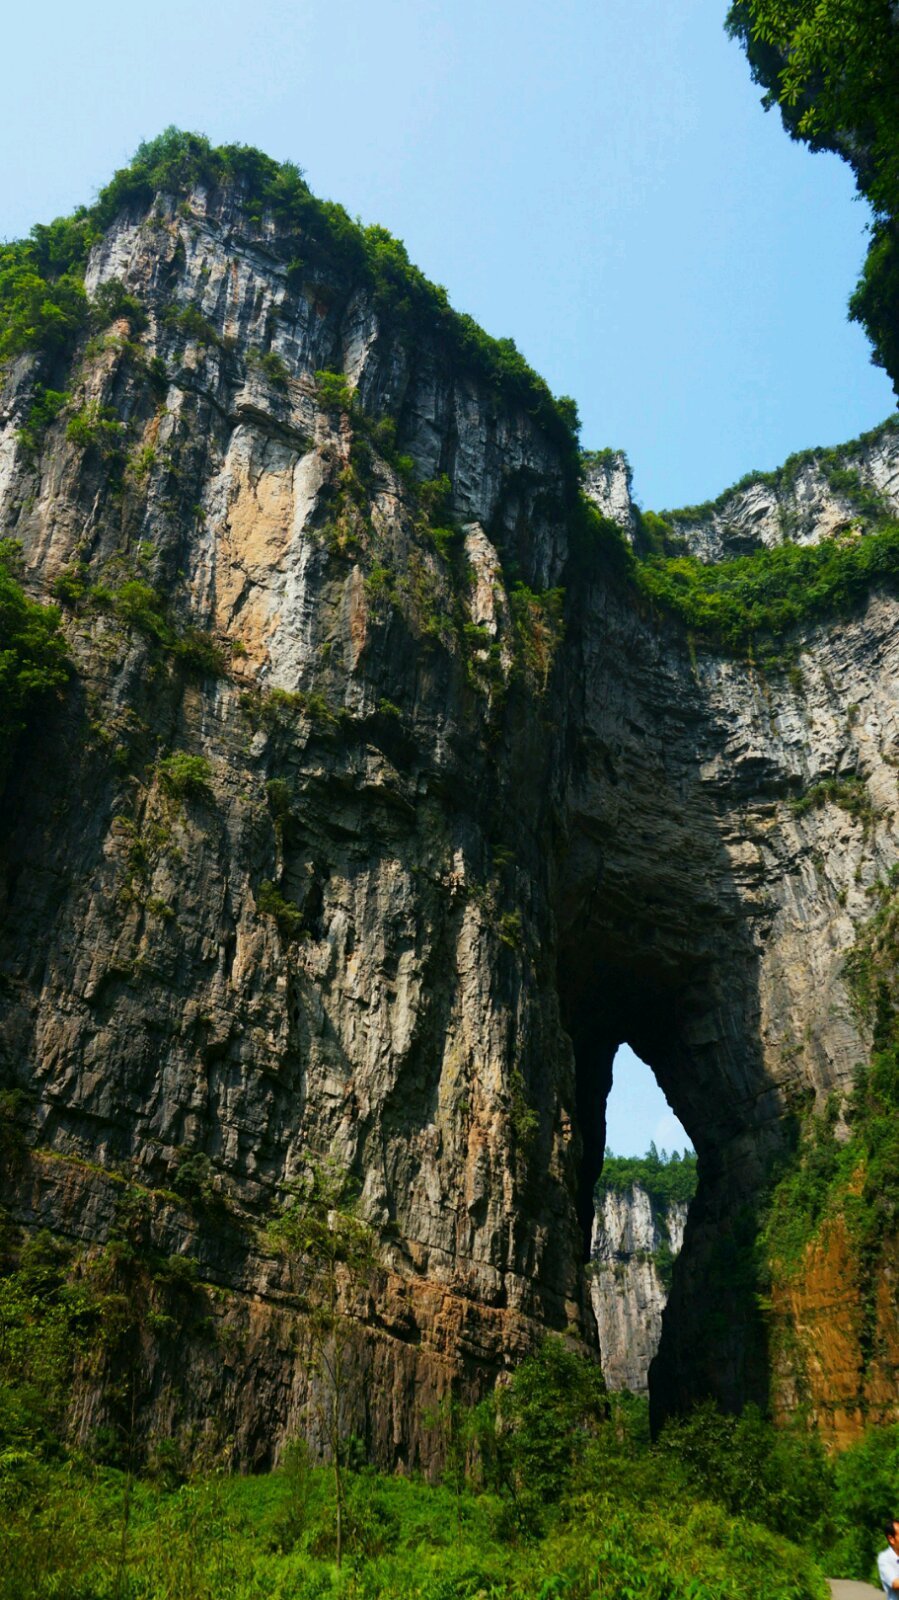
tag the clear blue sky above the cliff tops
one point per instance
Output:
(596, 178)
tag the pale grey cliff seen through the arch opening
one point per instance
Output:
(628, 1289)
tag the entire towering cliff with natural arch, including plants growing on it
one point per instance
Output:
(374, 767)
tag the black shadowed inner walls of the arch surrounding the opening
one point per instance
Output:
(693, 1022)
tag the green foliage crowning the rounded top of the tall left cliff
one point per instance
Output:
(44, 305)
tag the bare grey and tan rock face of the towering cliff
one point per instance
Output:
(439, 863)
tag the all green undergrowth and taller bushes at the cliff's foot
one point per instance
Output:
(548, 1494)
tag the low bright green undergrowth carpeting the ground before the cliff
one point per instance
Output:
(94, 1535)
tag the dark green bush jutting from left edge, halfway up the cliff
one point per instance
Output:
(33, 655)
